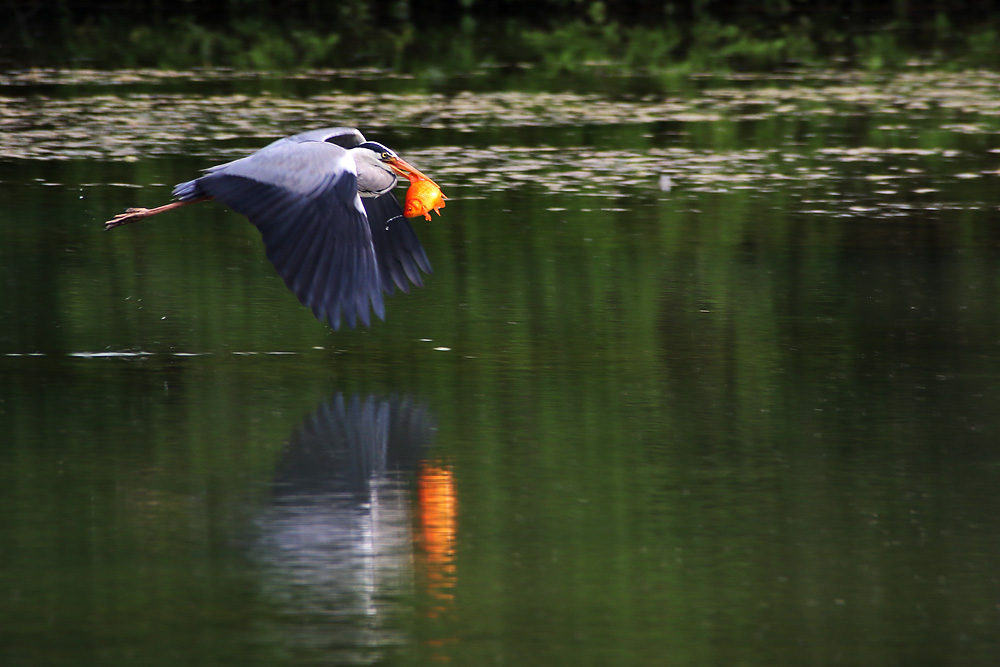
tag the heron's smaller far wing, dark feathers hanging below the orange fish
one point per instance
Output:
(397, 249)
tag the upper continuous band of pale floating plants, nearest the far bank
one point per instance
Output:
(127, 121)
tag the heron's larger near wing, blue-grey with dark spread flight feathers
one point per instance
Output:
(303, 198)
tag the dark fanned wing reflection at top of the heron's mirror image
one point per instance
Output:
(346, 444)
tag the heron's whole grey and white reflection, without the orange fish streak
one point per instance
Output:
(337, 543)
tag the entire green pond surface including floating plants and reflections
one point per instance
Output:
(747, 419)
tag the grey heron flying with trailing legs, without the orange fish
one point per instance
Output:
(332, 228)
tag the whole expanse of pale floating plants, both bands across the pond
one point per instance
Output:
(702, 141)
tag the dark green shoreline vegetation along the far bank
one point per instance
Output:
(558, 36)
